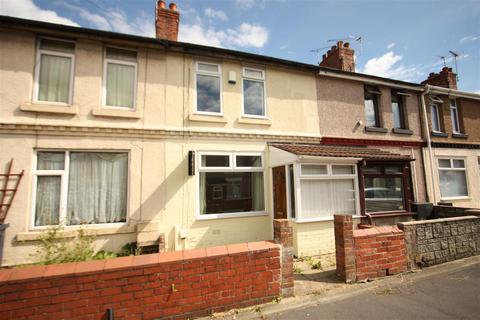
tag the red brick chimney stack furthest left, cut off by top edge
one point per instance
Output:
(166, 21)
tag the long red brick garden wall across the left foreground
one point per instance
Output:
(176, 285)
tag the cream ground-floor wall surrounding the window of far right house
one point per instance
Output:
(473, 175)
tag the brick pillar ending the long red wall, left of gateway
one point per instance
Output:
(283, 235)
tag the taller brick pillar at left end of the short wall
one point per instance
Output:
(344, 247)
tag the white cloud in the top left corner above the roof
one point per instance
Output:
(28, 10)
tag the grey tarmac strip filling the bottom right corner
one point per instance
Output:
(453, 294)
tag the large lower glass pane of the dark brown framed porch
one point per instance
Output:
(383, 194)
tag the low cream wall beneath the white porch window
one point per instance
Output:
(315, 238)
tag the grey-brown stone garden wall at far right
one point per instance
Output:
(437, 241)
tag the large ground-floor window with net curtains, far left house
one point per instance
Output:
(79, 188)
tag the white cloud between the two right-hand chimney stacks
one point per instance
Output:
(387, 66)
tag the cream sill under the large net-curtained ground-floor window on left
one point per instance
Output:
(70, 232)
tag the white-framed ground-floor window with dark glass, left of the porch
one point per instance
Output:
(231, 184)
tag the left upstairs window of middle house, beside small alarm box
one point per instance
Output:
(208, 86)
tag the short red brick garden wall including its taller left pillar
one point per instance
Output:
(368, 253)
